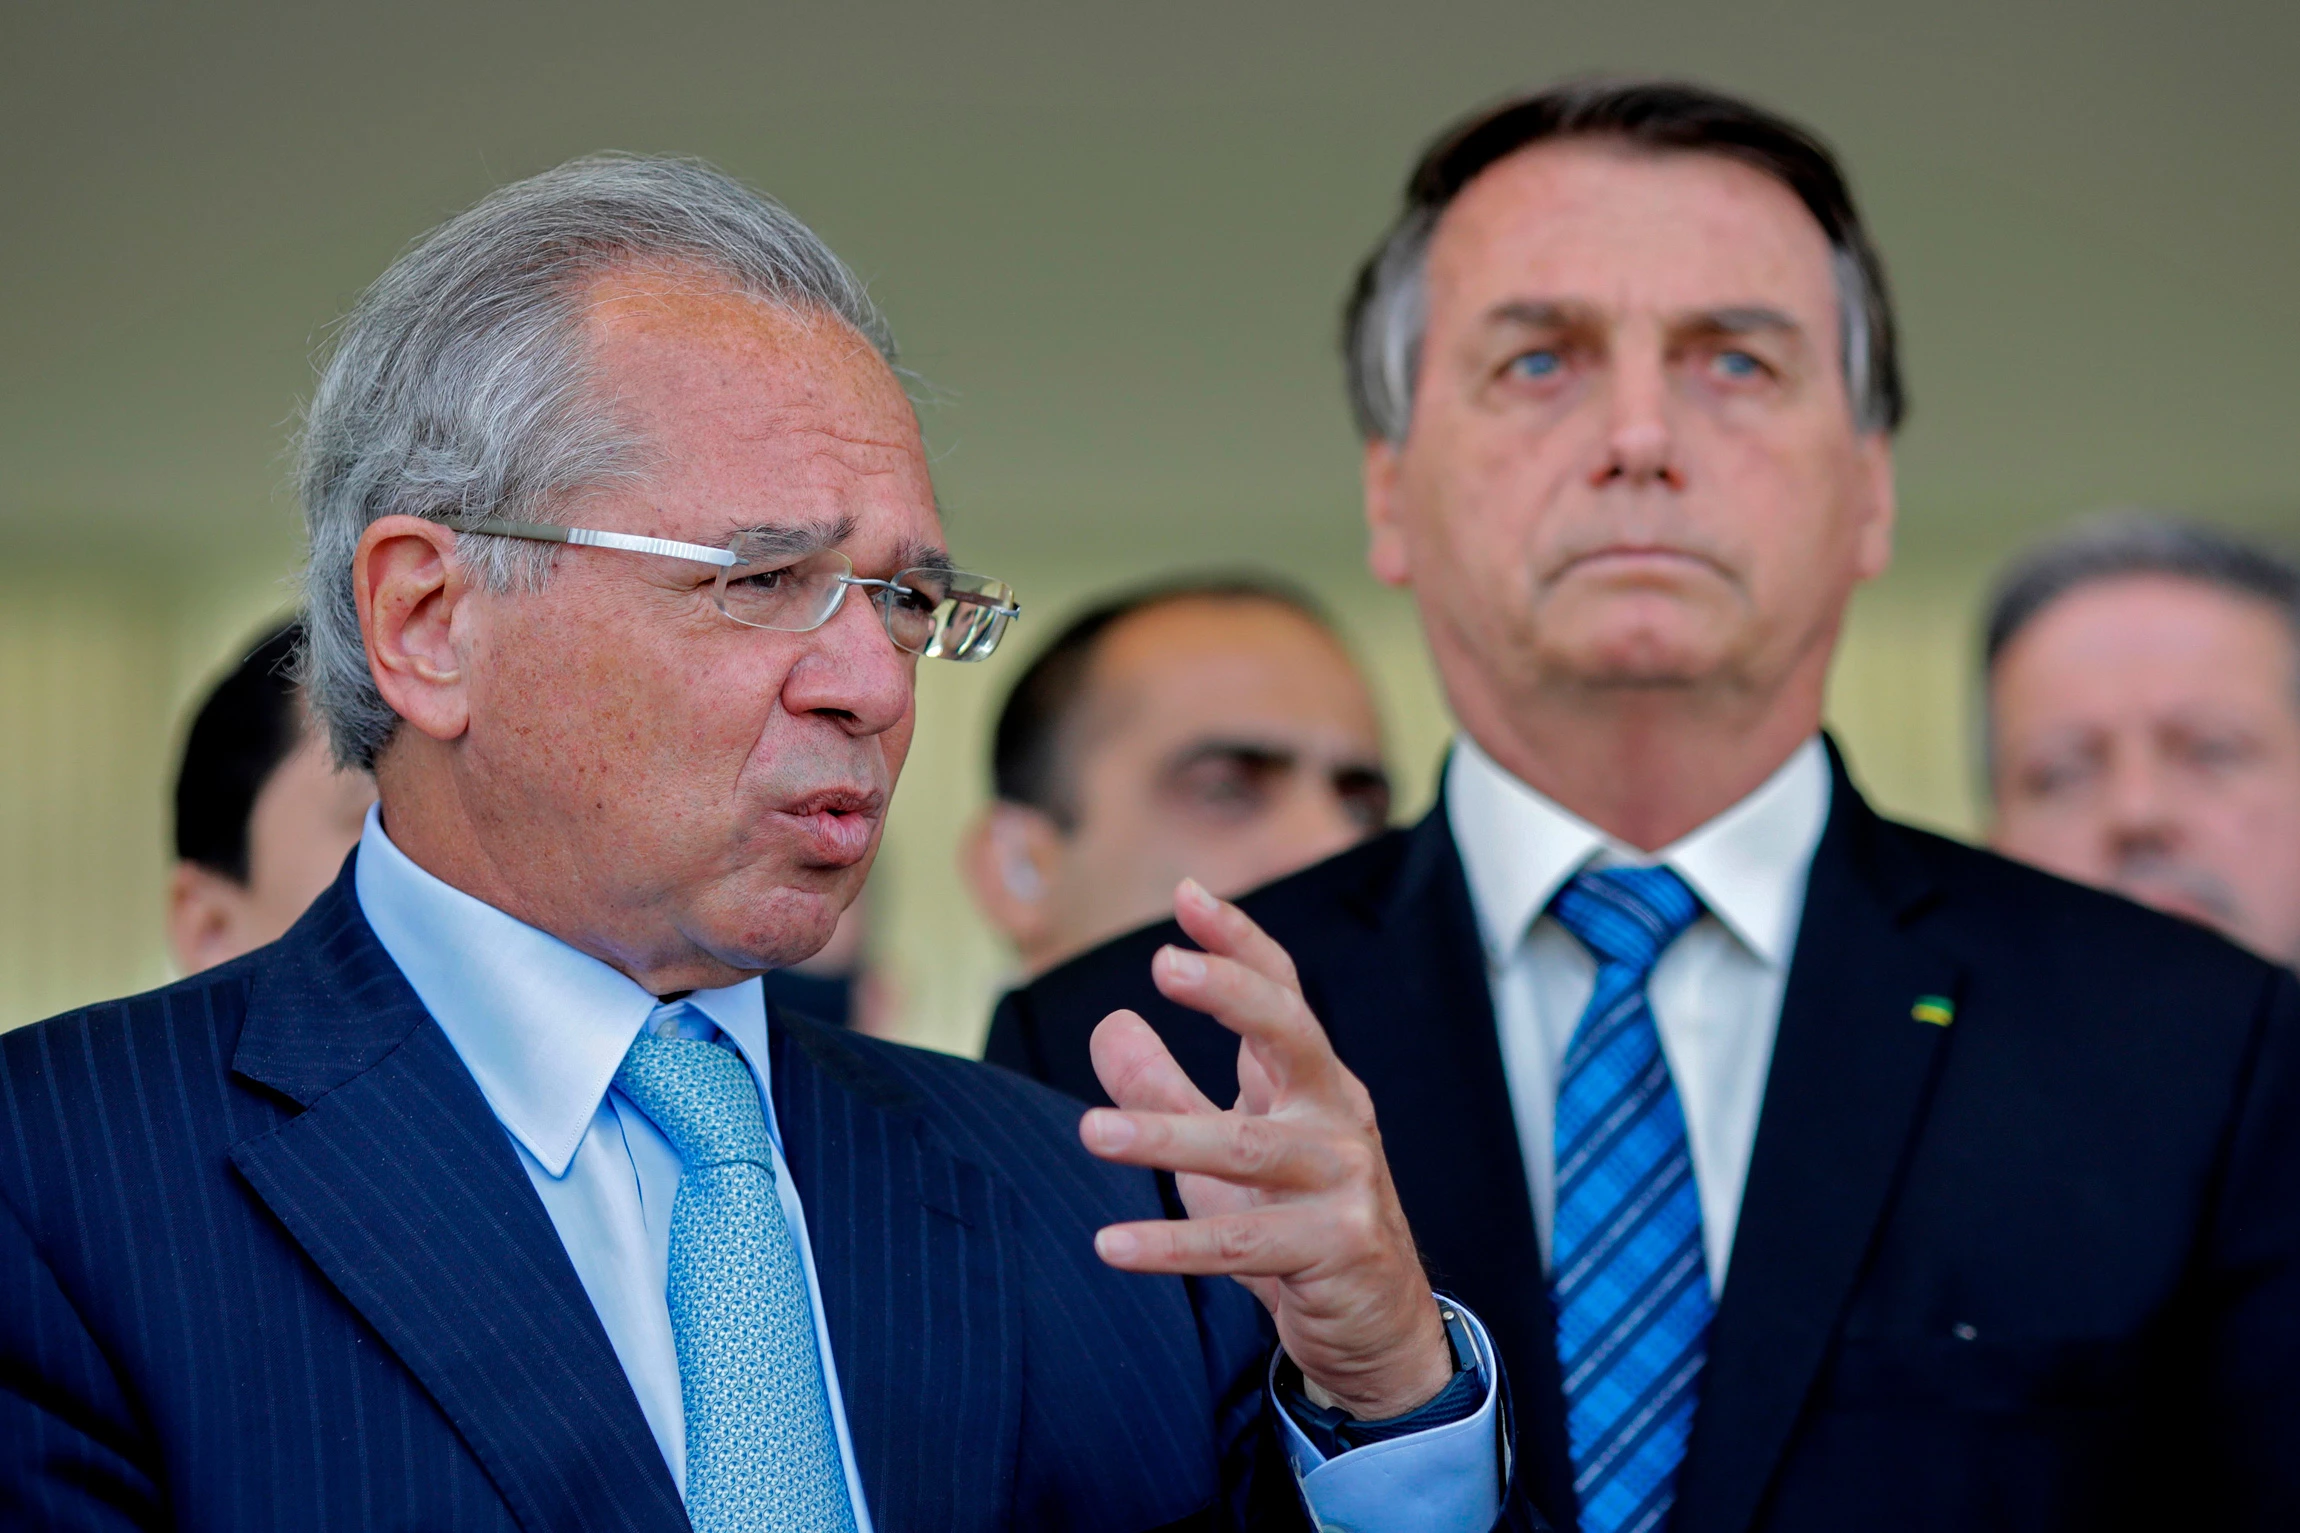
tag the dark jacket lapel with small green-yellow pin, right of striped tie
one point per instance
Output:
(1848, 1088)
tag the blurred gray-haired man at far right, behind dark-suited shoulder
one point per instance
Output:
(2145, 723)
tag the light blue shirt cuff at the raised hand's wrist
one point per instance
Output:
(1443, 1479)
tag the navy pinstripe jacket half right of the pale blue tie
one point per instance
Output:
(1022, 1323)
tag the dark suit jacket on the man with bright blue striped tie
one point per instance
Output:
(2034, 1270)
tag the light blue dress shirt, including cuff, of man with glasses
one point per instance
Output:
(544, 1029)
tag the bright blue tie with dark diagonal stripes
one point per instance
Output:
(1630, 1277)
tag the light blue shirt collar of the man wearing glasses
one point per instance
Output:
(539, 1024)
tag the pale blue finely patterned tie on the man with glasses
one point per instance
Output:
(762, 1454)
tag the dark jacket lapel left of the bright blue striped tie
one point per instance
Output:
(1413, 1017)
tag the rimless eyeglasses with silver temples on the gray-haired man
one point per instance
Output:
(940, 615)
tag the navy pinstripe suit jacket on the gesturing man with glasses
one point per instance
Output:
(268, 1261)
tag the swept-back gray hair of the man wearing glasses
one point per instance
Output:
(461, 390)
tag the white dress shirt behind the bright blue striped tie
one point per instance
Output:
(1715, 992)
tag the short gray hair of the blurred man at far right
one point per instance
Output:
(2122, 546)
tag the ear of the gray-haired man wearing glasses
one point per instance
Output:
(408, 592)
